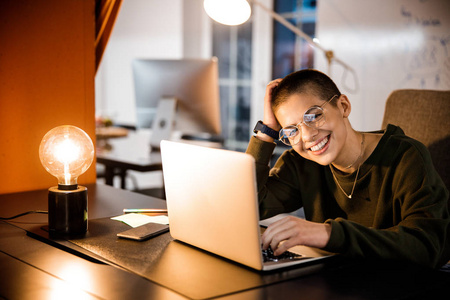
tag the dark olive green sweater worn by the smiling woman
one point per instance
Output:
(398, 209)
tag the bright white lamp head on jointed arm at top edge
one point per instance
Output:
(228, 12)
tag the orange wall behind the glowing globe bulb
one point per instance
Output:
(47, 72)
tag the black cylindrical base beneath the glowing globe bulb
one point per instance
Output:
(67, 211)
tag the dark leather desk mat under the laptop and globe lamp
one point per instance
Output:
(184, 269)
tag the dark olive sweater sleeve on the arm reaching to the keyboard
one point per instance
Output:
(418, 206)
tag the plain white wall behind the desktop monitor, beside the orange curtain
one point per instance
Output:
(144, 29)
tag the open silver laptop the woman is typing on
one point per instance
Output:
(212, 204)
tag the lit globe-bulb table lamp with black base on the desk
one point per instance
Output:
(66, 152)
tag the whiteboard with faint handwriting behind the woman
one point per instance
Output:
(390, 44)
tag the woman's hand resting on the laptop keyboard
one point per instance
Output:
(292, 231)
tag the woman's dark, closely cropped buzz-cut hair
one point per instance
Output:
(306, 81)
